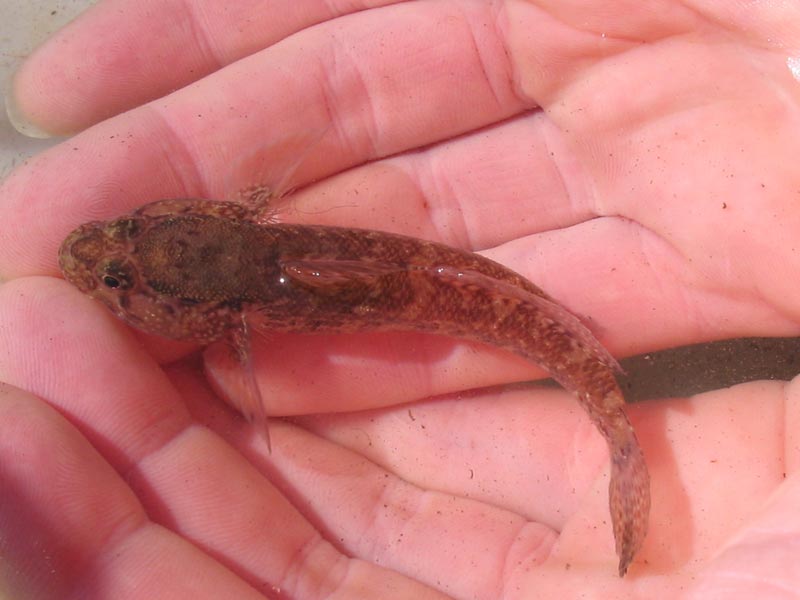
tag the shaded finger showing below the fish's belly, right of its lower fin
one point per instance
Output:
(332, 373)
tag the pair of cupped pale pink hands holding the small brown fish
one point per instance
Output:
(652, 193)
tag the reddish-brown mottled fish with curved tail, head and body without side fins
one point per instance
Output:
(205, 271)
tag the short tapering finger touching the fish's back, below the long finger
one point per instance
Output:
(476, 192)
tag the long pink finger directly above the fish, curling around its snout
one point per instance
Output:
(361, 99)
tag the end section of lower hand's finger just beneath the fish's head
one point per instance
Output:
(70, 351)
